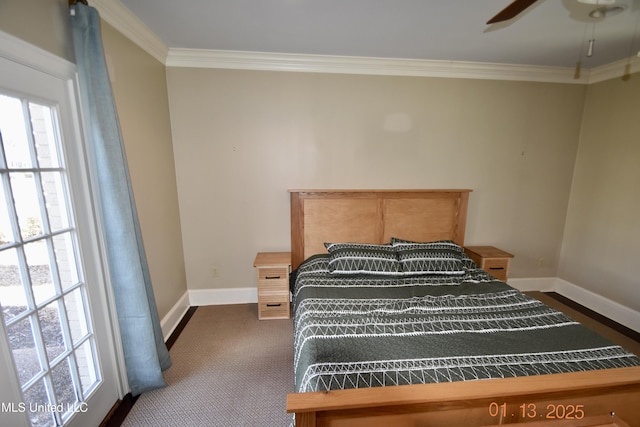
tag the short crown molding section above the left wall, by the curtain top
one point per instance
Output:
(123, 20)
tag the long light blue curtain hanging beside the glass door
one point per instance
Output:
(145, 352)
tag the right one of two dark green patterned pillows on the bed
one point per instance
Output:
(441, 257)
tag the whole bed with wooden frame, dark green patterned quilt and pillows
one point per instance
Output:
(384, 338)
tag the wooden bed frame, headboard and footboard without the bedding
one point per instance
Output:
(593, 398)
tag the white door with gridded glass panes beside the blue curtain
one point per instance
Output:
(55, 326)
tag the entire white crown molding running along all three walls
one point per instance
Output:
(122, 19)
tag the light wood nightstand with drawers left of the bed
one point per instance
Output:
(272, 269)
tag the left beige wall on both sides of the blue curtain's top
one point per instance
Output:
(139, 86)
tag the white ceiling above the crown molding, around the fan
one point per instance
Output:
(549, 33)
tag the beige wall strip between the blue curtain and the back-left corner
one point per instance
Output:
(140, 90)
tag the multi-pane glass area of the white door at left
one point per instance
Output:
(41, 285)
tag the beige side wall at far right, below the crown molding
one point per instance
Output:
(601, 246)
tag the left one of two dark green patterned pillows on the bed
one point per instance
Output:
(362, 258)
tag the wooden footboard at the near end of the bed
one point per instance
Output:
(558, 398)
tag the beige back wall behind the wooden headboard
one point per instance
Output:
(242, 138)
